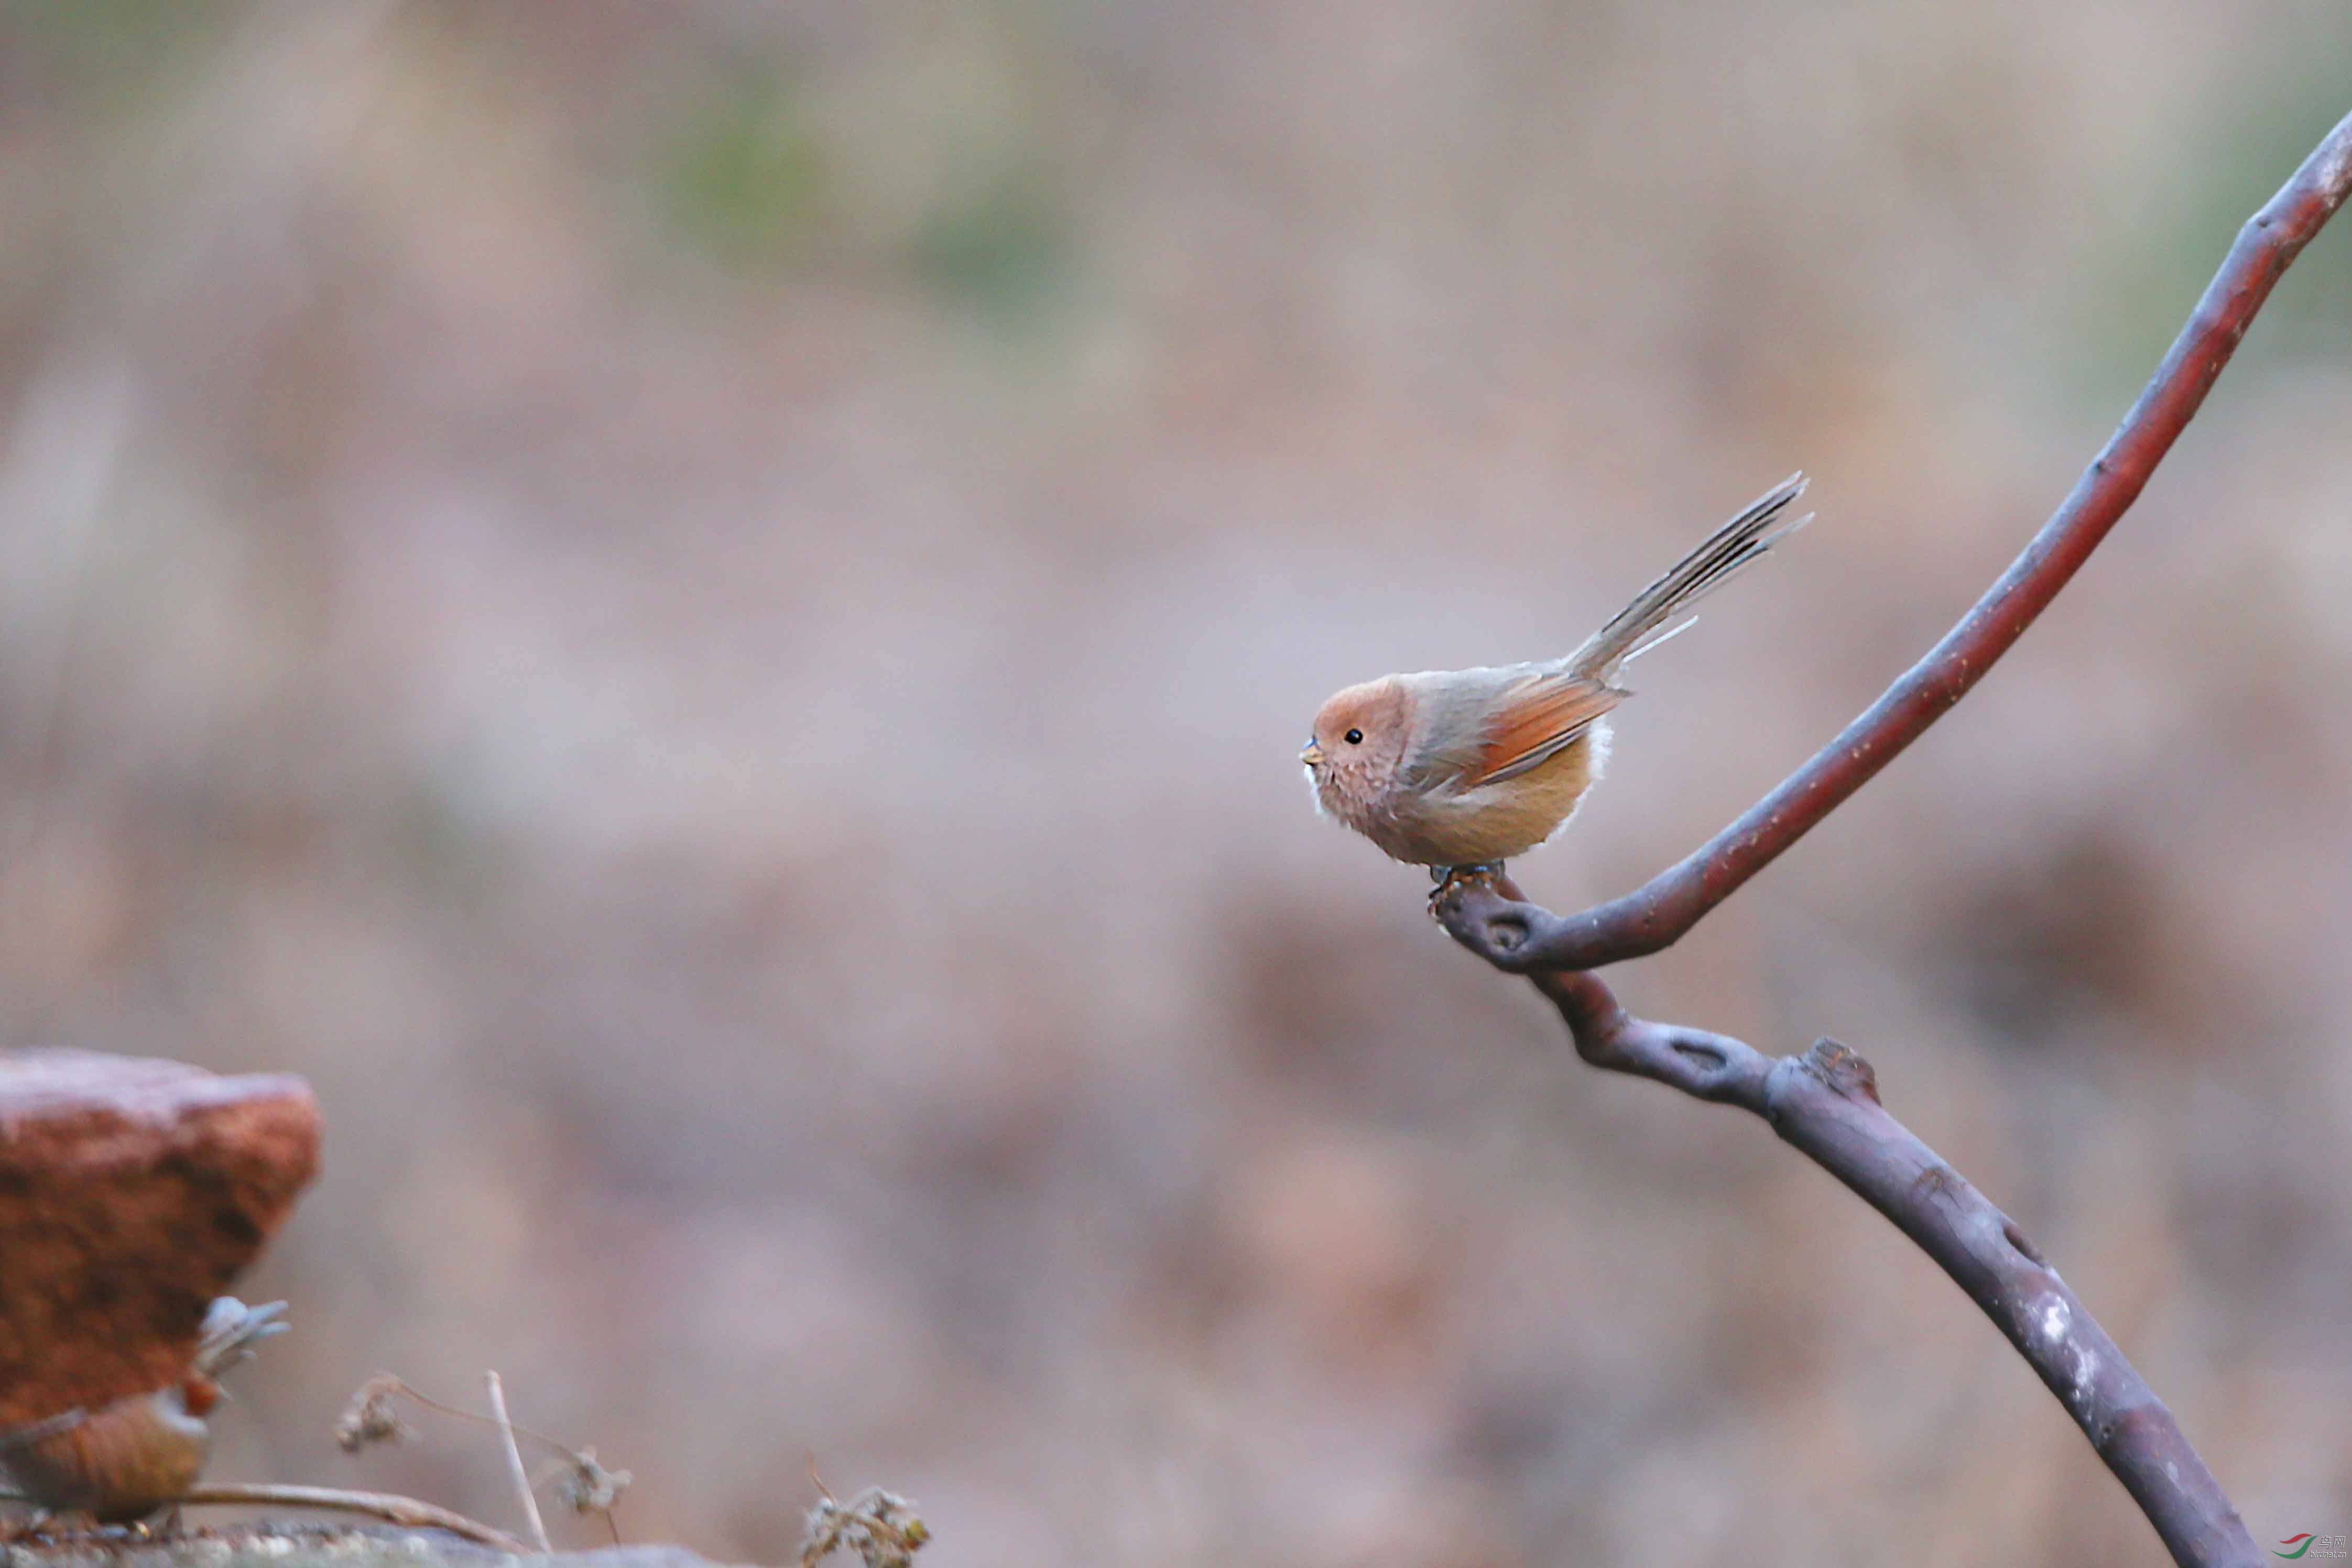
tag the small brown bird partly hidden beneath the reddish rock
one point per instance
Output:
(142, 1452)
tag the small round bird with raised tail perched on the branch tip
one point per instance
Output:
(1464, 770)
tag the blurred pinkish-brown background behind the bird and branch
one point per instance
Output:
(704, 612)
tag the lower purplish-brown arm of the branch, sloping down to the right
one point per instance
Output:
(1826, 1104)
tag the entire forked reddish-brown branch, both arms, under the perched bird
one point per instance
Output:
(1826, 1104)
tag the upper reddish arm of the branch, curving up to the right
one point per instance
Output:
(1673, 902)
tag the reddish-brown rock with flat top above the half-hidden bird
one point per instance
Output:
(131, 1195)
